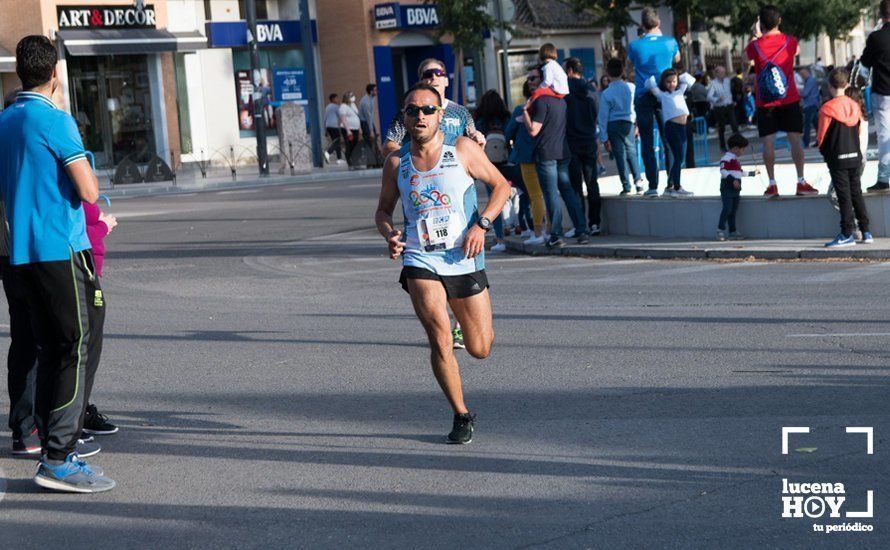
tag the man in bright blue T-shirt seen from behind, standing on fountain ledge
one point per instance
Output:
(651, 54)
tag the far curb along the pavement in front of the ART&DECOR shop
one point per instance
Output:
(142, 190)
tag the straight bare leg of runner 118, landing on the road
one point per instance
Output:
(431, 305)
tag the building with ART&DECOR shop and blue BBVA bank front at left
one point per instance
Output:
(165, 78)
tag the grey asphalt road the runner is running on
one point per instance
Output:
(273, 390)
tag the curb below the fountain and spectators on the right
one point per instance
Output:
(641, 252)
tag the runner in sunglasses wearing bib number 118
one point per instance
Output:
(443, 249)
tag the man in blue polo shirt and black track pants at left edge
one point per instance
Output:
(44, 176)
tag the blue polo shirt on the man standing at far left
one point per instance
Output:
(37, 142)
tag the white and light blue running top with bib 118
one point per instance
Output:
(440, 206)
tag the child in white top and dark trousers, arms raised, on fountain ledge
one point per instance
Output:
(670, 91)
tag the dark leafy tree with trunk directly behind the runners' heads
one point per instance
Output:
(465, 21)
